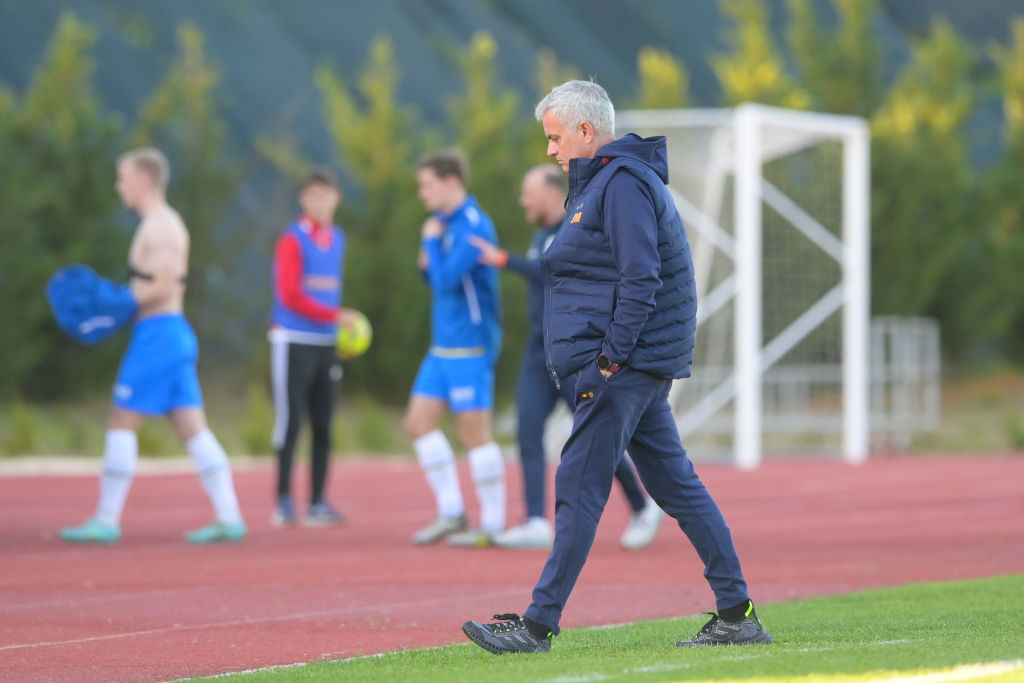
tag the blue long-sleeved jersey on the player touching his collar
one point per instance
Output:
(465, 307)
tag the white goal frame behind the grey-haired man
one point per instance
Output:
(744, 150)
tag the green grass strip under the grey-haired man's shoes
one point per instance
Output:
(921, 633)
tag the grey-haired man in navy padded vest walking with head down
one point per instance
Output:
(621, 316)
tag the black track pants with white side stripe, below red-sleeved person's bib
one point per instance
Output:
(304, 378)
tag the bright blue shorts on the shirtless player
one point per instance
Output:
(158, 371)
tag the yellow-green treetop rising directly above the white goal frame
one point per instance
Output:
(755, 71)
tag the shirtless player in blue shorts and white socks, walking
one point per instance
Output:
(158, 372)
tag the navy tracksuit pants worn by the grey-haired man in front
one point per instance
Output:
(629, 411)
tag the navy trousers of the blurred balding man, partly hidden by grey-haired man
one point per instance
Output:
(537, 397)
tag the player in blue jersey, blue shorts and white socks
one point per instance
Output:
(458, 372)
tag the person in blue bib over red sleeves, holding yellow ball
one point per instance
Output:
(305, 368)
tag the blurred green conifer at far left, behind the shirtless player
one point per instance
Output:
(57, 151)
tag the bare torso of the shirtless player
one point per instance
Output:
(159, 262)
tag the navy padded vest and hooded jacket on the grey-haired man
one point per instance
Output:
(619, 274)
